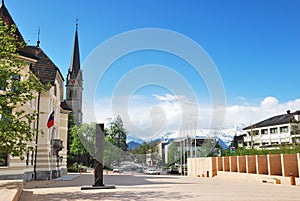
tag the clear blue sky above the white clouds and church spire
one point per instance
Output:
(254, 44)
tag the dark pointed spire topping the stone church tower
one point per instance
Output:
(75, 63)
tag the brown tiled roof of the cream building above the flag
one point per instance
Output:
(44, 68)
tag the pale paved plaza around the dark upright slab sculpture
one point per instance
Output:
(156, 187)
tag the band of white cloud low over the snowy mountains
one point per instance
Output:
(149, 117)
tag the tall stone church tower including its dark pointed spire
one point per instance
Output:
(74, 85)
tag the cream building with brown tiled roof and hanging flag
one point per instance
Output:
(49, 159)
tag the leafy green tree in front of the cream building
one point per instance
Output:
(16, 89)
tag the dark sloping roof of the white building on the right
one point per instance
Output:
(276, 120)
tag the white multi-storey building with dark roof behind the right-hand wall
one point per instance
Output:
(277, 130)
